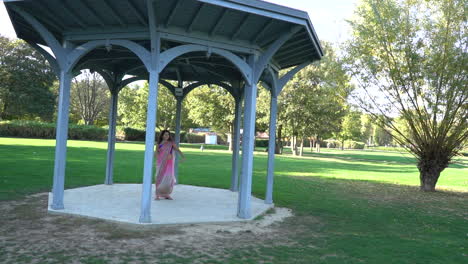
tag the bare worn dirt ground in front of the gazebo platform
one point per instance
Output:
(28, 234)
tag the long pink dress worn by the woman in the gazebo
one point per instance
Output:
(165, 179)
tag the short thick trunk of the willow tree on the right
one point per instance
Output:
(429, 173)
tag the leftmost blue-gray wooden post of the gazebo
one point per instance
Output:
(61, 141)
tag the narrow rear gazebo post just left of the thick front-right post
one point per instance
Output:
(235, 145)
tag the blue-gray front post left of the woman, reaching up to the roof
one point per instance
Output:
(145, 213)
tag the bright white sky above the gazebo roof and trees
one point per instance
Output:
(328, 17)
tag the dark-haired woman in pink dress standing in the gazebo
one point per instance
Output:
(165, 178)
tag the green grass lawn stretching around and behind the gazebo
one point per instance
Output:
(352, 206)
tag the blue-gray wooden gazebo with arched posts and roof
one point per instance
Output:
(231, 43)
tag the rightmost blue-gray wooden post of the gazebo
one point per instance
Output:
(271, 149)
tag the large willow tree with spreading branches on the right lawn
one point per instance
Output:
(410, 59)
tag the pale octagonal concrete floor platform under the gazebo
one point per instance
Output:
(121, 203)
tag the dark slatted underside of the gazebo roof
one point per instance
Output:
(241, 26)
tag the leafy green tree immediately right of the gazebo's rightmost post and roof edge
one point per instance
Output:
(313, 103)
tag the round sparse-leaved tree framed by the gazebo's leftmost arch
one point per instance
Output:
(89, 97)
